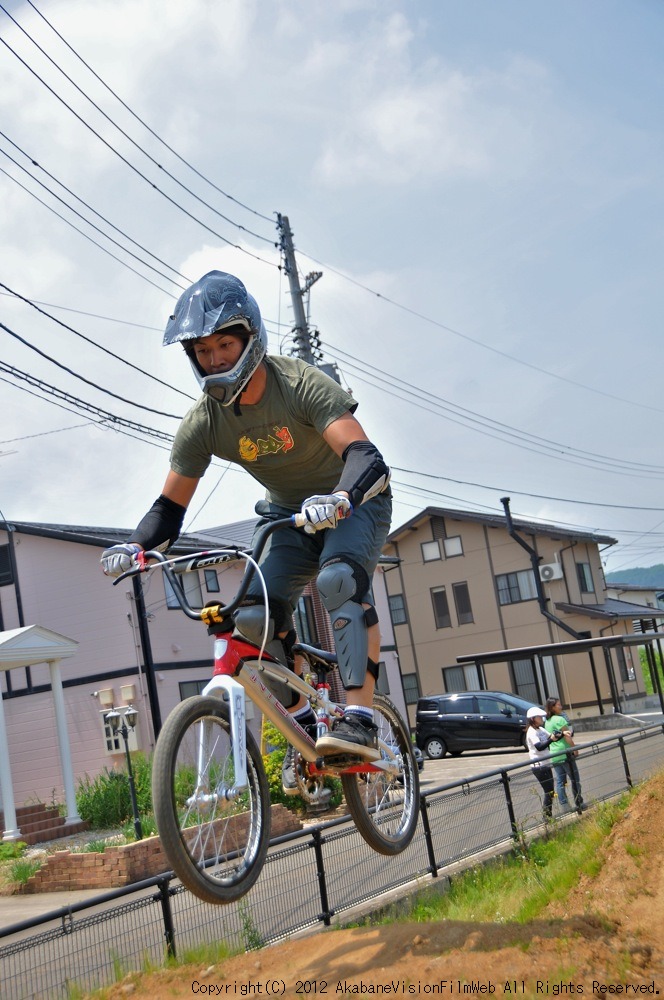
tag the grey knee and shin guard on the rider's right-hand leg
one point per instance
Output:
(341, 595)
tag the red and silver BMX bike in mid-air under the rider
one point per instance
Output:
(209, 788)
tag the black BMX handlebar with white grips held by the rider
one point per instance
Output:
(172, 568)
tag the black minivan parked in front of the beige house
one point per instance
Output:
(470, 720)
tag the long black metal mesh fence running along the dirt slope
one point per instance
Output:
(309, 877)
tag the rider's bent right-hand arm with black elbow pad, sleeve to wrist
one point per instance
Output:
(365, 473)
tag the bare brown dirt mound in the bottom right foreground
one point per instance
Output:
(606, 940)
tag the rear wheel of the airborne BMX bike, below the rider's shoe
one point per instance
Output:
(384, 807)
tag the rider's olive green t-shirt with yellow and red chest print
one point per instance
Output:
(278, 440)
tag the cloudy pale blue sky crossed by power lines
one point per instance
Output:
(480, 184)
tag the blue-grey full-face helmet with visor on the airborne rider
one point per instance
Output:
(216, 302)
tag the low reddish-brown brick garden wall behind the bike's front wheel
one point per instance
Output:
(119, 866)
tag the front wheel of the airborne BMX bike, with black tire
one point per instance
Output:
(215, 840)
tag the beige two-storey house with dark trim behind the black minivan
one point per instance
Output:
(468, 584)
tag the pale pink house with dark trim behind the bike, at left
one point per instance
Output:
(134, 645)
